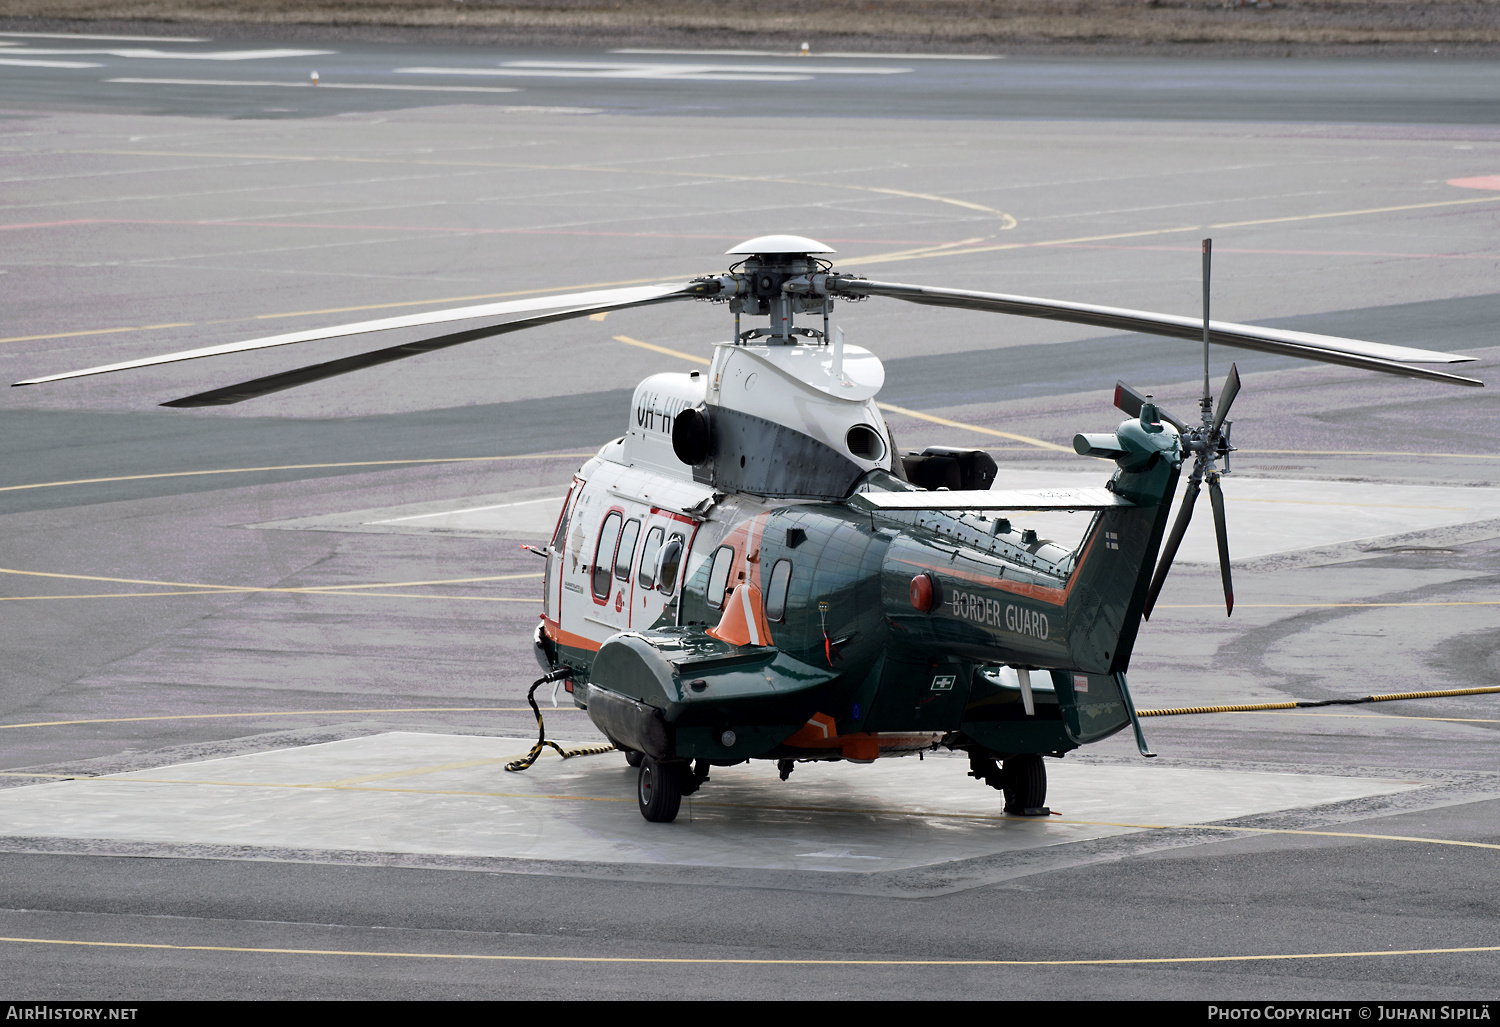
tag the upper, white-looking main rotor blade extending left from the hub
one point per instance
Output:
(581, 302)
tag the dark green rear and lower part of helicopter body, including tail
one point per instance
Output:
(853, 647)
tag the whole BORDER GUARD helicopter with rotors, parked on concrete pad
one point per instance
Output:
(755, 572)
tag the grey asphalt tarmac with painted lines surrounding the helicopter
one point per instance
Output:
(157, 618)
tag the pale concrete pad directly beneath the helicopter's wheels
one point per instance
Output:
(449, 795)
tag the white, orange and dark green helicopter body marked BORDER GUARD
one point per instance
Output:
(799, 626)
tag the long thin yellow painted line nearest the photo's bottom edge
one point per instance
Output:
(478, 957)
